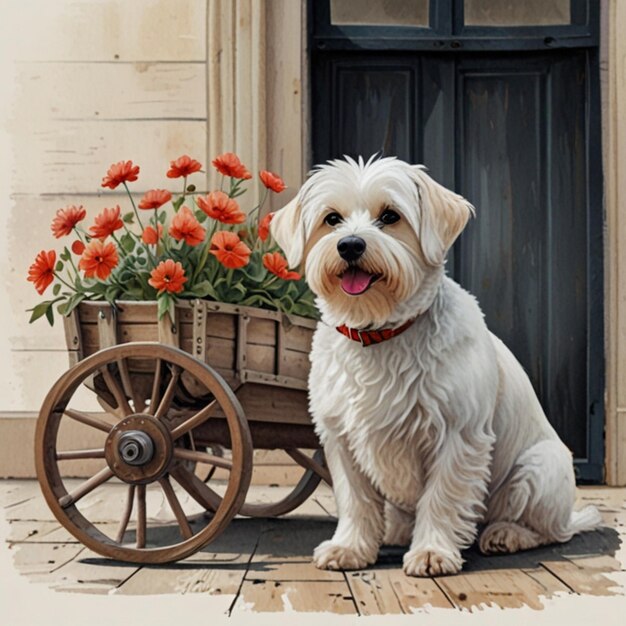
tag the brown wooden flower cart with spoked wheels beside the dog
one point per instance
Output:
(218, 382)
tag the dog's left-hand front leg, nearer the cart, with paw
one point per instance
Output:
(360, 508)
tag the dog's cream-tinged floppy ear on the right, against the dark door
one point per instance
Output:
(443, 216)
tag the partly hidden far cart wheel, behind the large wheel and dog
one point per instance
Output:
(315, 471)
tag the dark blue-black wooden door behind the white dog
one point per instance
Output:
(515, 129)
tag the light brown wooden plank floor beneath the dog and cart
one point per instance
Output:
(265, 564)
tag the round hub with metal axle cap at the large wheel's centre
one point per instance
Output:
(138, 449)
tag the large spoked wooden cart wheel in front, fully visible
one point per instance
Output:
(144, 449)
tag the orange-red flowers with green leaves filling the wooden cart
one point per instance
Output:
(171, 246)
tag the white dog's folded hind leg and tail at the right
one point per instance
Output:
(535, 504)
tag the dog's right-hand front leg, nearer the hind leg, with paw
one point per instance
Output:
(451, 505)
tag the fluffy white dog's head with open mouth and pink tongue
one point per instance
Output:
(368, 234)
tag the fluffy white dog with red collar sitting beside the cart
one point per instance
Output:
(429, 424)
